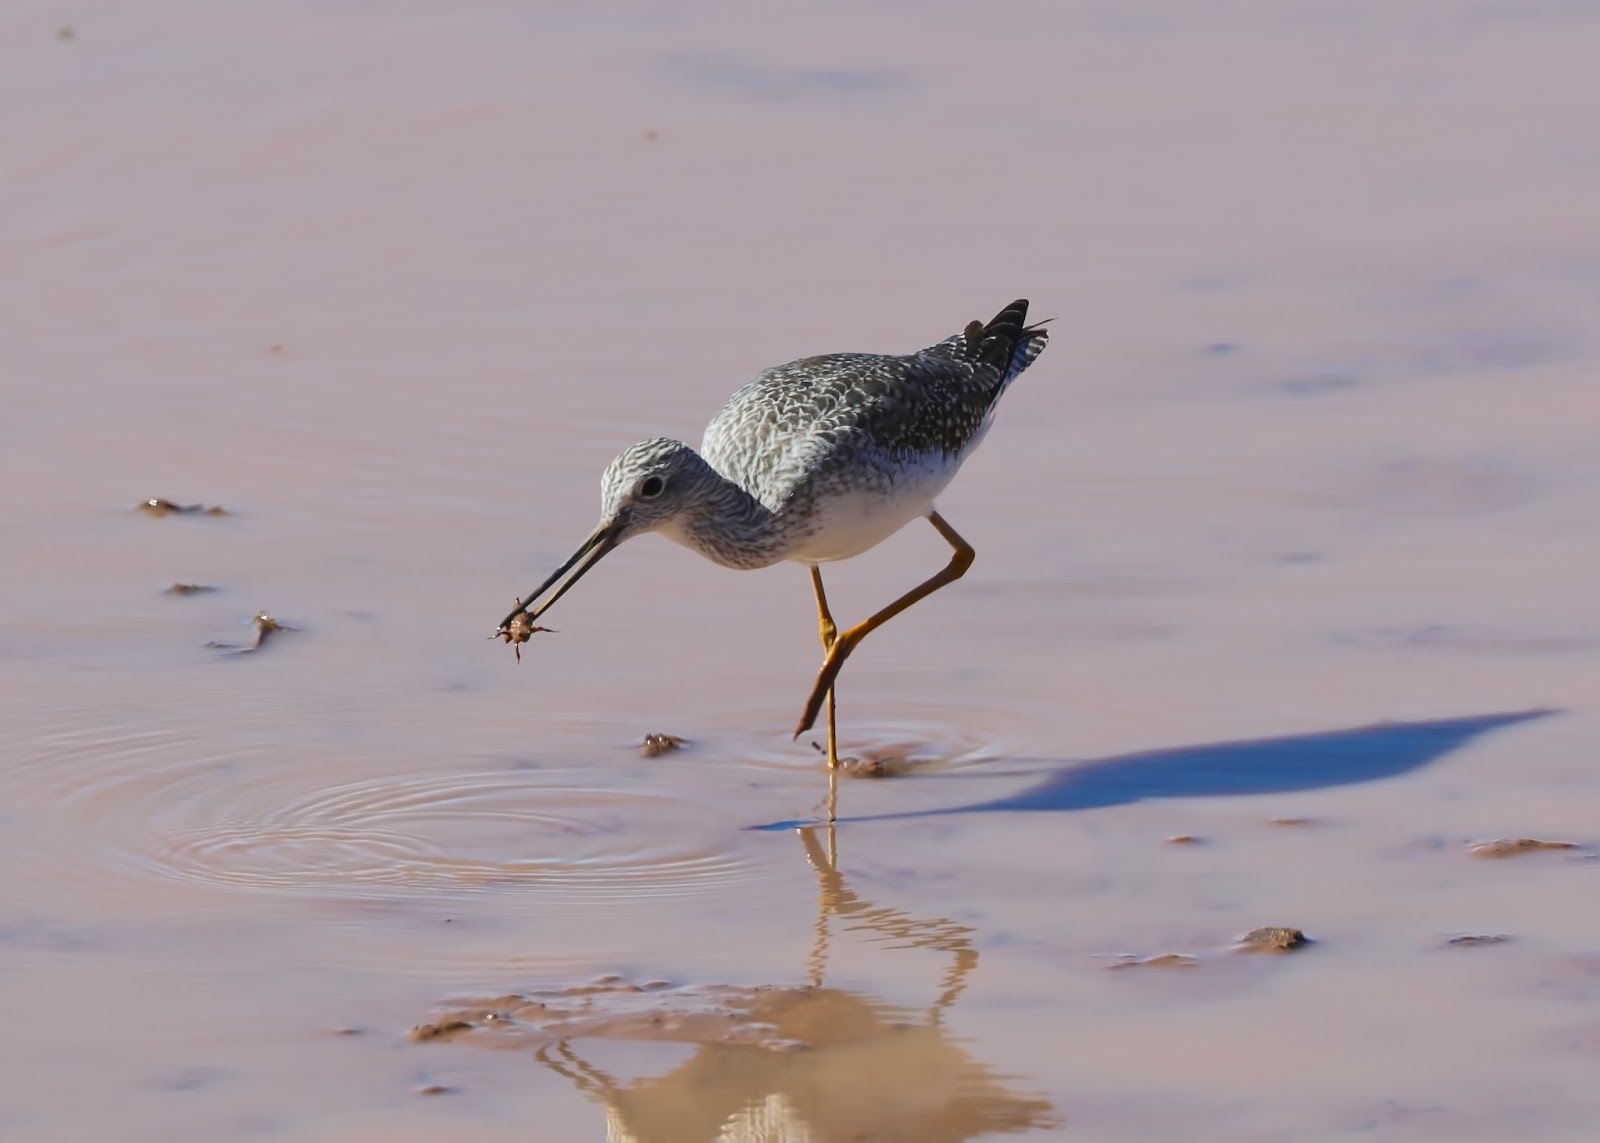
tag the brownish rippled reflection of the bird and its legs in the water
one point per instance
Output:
(865, 1070)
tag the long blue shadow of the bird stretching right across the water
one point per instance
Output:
(1260, 766)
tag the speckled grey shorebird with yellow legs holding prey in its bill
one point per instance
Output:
(815, 462)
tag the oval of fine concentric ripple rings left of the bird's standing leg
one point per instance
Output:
(446, 833)
